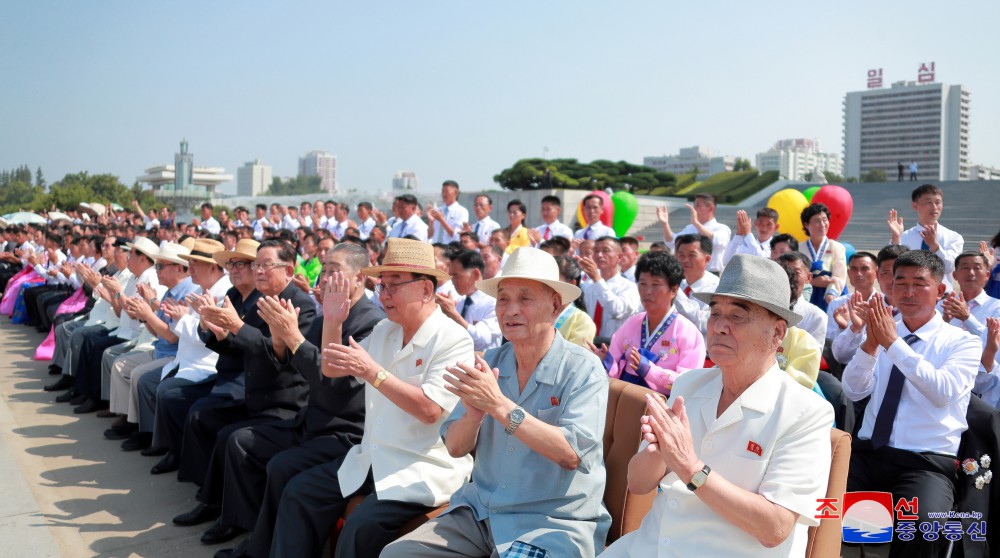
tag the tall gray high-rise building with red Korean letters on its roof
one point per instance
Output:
(921, 122)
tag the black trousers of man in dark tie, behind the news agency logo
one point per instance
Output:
(906, 474)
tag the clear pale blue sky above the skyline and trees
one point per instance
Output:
(455, 89)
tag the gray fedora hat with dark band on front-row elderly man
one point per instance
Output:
(758, 280)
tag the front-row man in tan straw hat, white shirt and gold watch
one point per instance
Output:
(401, 466)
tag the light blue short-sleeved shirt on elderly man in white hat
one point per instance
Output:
(525, 496)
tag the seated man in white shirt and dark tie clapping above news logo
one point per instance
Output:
(919, 373)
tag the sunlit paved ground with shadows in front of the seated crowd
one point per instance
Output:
(64, 489)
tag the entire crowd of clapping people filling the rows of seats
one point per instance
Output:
(299, 366)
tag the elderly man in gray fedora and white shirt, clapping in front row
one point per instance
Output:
(741, 451)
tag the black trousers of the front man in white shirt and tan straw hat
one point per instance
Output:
(311, 505)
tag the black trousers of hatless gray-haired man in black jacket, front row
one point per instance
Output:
(260, 460)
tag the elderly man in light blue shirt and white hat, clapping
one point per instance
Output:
(533, 411)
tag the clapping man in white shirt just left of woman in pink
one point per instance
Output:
(611, 299)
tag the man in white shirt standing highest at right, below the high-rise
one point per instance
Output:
(929, 234)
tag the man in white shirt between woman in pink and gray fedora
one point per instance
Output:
(694, 252)
